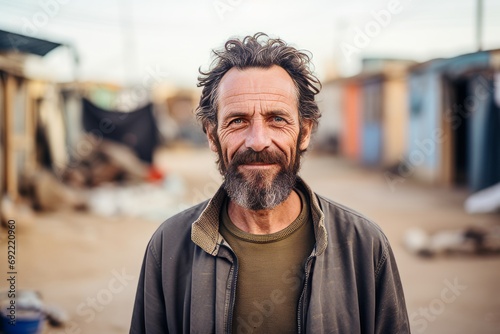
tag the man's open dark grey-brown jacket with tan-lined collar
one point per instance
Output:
(189, 273)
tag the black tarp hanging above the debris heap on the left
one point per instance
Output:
(136, 129)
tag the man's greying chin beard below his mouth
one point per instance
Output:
(254, 192)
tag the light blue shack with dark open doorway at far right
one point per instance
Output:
(454, 121)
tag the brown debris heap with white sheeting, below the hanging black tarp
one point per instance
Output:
(107, 179)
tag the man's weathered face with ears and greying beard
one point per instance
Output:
(259, 136)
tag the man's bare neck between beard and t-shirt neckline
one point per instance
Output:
(266, 221)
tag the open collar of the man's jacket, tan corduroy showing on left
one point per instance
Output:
(205, 230)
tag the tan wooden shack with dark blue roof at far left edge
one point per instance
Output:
(20, 102)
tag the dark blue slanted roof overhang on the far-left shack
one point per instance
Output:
(10, 41)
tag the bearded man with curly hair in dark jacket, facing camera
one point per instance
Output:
(266, 254)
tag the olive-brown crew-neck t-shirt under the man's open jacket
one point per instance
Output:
(270, 274)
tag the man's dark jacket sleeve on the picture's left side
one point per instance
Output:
(149, 315)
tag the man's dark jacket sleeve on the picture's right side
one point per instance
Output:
(391, 315)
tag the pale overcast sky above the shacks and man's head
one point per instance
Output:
(128, 41)
